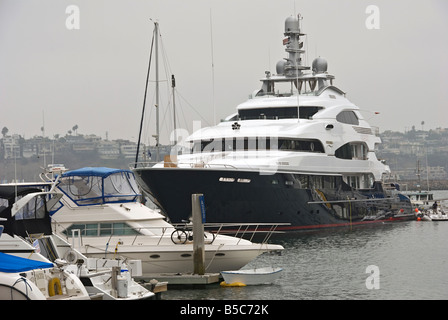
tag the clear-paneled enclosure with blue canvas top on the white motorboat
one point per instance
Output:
(119, 186)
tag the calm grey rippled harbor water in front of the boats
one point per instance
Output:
(412, 261)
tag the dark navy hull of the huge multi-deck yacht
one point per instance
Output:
(238, 196)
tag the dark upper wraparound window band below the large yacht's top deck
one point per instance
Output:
(305, 112)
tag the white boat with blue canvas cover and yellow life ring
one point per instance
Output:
(24, 273)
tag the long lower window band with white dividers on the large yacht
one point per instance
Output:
(257, 143)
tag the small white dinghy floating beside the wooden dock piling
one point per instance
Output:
(250, 276)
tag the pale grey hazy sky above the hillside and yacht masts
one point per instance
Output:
(94, 76)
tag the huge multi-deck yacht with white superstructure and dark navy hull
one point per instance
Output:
(297, 151)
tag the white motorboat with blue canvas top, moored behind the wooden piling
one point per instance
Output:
(101, 215)
